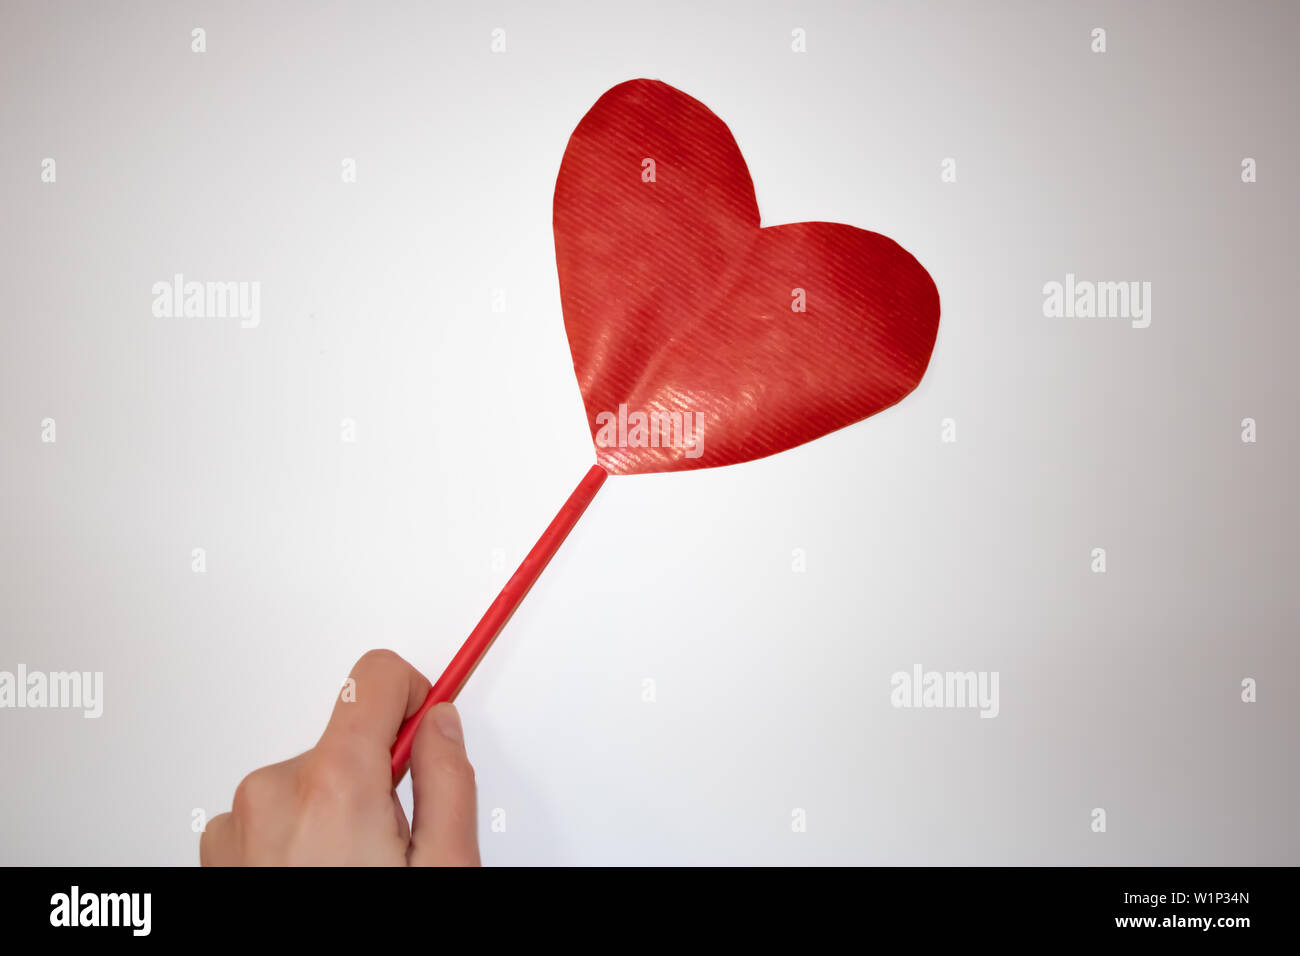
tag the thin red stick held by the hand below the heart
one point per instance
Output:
(482, 638)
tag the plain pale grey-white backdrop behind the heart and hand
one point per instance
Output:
(1120, 691)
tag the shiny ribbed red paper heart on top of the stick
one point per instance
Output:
(677, 301)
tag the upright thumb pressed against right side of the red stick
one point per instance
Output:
(445, 830)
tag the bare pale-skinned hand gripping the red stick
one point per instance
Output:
(335, 806)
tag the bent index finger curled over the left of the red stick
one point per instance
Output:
(387, 690)
